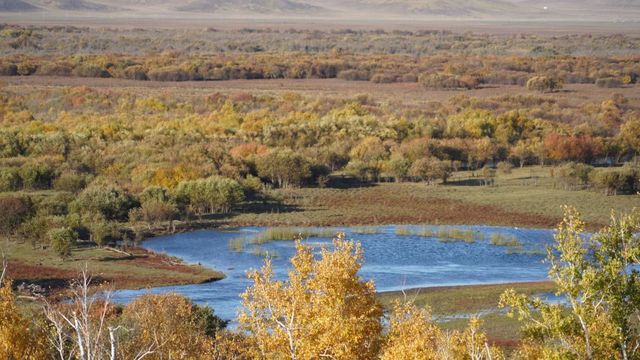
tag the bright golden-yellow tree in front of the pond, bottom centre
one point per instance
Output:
(324, 309)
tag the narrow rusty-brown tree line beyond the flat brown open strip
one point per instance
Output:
(435, 71)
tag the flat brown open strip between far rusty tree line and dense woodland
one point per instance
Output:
(409, 94)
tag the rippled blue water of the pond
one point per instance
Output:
(393, 262)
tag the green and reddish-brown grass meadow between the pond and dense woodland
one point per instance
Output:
(527, 197)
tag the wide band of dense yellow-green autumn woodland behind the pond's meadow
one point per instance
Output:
(85, 158)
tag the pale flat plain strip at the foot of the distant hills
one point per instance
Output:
(229, 23)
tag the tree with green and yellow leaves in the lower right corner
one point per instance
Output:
(602, 291)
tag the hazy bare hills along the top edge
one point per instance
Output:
(606, 10)
